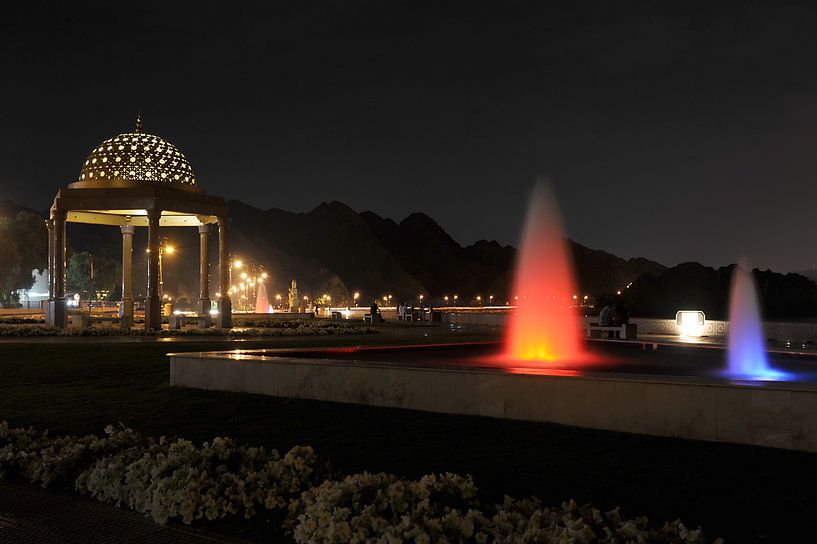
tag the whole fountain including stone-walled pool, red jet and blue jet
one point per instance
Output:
(545, 372)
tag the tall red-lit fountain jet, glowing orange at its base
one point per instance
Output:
(545, 327)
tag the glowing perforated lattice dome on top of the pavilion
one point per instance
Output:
(136, 156)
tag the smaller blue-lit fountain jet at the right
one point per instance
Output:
(747, 358)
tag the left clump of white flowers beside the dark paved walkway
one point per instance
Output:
(163, 479)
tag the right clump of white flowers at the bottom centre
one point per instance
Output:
(444, 508)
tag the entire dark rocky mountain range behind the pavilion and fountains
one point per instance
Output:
(335, 250)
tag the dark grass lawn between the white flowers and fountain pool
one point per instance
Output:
(739, 492)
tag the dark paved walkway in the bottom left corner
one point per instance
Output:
(29, 514)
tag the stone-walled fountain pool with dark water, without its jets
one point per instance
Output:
(670, 391)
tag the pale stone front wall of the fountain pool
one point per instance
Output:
(778, 415)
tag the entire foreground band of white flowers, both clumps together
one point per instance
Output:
(170, 480)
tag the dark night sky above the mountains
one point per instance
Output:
(684, 133)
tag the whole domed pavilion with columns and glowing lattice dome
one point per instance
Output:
(135, 180)
